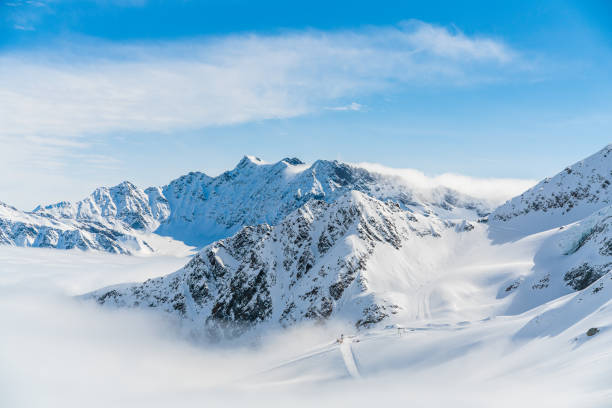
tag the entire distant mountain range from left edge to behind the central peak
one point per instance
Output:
(198, 209)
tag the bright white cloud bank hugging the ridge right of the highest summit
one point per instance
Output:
(494, 191)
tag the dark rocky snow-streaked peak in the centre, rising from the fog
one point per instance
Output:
(313, 265)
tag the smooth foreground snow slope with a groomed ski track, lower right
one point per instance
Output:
(557, 354)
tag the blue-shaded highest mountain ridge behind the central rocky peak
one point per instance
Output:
(204, 209)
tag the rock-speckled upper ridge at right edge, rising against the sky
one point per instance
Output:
(571, 195)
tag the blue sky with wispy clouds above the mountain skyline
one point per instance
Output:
(94, 92)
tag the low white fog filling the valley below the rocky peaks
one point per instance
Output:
(57, 351)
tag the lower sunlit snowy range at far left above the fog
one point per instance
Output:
(119, 220)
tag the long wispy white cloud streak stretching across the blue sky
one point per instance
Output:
(102, 87)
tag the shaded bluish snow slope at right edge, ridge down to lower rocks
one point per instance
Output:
(570, 214)
